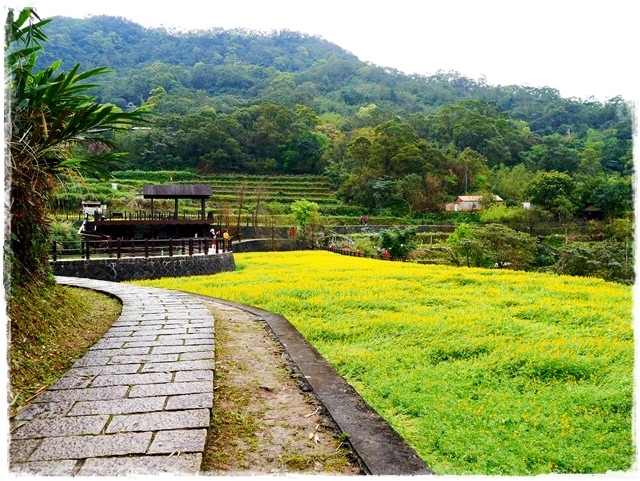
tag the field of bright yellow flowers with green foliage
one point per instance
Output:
(481, 371)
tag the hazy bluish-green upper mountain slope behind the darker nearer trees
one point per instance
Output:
(236, 67)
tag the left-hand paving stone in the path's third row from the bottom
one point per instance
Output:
(58, 427)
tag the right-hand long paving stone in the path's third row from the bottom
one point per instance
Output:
(194, 418)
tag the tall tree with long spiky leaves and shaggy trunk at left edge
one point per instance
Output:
(49, 116)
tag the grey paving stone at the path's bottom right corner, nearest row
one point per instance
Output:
(144, 465)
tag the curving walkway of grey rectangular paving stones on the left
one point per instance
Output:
(139, 401)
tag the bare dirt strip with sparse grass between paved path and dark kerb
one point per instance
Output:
(263, 421)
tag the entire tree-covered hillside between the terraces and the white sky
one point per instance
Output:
(289, 103)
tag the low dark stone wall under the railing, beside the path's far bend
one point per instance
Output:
(128, 269)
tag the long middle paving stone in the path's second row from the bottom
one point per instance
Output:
(81, 447)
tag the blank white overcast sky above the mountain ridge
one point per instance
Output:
(581, 48)
